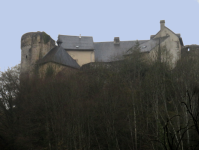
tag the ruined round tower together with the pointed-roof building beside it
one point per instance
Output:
(40, 55)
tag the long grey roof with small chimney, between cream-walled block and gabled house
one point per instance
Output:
(108, 51)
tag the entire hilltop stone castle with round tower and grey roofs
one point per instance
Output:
(40, 53)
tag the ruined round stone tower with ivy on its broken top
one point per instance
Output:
(34, 46)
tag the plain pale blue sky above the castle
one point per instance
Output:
(101, 19)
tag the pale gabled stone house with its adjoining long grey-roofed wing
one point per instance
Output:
(107, 51)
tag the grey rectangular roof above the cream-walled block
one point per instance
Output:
(76, 43)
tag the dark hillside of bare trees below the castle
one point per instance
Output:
(129, 105)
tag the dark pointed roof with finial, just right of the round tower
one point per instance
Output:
(60, 56)
